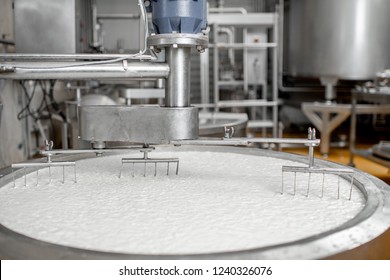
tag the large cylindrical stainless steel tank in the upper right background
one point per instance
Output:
(346, 39)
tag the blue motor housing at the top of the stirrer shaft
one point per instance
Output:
(180, 16)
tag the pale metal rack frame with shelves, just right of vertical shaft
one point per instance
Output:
(269, 20)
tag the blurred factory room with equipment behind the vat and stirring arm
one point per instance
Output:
(276, 66)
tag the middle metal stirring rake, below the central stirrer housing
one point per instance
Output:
(147, 160)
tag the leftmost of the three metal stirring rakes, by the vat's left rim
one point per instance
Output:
(49, 163)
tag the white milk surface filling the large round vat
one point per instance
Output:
(219, 202)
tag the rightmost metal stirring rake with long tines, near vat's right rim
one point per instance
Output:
(310, 169)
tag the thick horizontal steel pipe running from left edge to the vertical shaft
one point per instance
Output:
(83, 70)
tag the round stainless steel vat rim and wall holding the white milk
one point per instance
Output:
(366, 226)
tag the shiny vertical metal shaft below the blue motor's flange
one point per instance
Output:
(178, 83)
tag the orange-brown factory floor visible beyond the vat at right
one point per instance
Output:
(379, 248)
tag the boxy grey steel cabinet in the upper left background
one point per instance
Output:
(55, 26)
